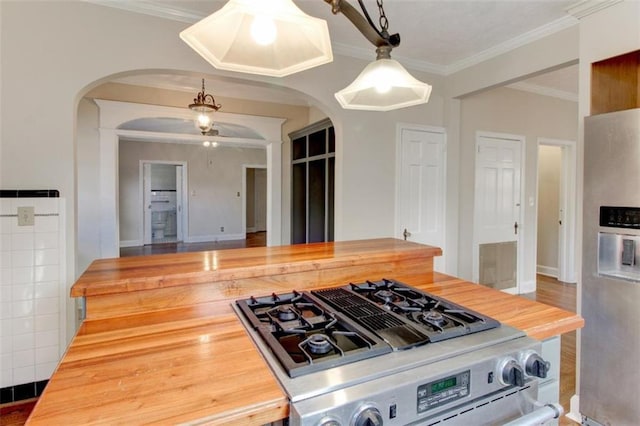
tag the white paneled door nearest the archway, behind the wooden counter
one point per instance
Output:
(421, 187)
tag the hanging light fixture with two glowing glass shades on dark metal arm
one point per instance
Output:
(275, 38)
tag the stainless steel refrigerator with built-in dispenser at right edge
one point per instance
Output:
(610, 340)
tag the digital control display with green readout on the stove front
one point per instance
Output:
(443, 391)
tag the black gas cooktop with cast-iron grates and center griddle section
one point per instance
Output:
(313, 331)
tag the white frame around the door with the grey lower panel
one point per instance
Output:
(476, 244)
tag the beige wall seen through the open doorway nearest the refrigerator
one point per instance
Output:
(549, 169)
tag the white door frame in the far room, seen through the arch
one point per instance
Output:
(144, 234)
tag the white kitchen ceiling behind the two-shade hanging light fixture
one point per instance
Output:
(437, 35)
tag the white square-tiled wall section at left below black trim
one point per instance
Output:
(32, 290)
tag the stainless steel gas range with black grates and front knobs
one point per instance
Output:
(382, 352)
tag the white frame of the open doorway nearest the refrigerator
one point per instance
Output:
(567, 234)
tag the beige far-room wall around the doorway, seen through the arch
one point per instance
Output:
(214, 179)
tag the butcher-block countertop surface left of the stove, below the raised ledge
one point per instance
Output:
(203, 370)
